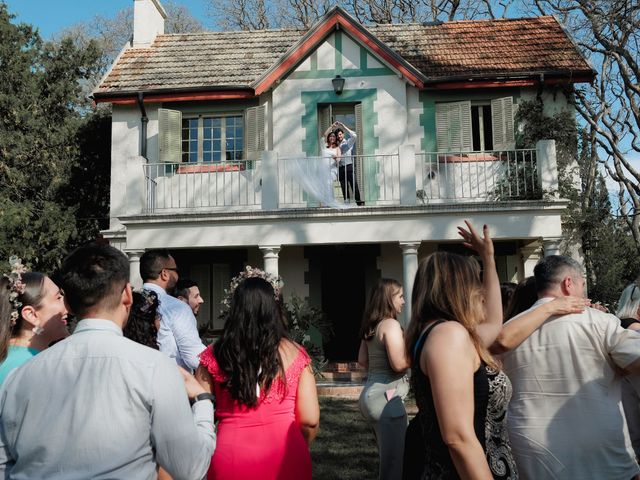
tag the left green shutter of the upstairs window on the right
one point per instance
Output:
(453, 127)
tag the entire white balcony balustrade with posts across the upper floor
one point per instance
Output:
(406, 178)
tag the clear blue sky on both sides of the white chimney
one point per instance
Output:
(51, 16)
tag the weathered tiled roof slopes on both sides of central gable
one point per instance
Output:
(446, 51)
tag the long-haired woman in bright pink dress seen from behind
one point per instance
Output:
(266, 399)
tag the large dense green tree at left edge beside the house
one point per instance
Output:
(41, 109)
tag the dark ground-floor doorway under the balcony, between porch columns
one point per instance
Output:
(342, 276)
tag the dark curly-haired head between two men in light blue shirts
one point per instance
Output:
(144, 319)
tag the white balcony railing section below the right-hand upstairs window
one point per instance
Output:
(492, 175)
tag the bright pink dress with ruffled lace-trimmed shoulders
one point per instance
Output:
(264, 442)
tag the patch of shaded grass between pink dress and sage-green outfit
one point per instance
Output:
(345, 448)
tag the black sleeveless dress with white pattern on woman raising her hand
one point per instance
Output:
(426, 455)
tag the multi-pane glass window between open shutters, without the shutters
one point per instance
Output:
(222, 139)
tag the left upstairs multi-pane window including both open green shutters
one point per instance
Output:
(209, 138)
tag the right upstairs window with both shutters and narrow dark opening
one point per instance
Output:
(463, 127)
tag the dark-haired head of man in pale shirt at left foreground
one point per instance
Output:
(93, 276)
